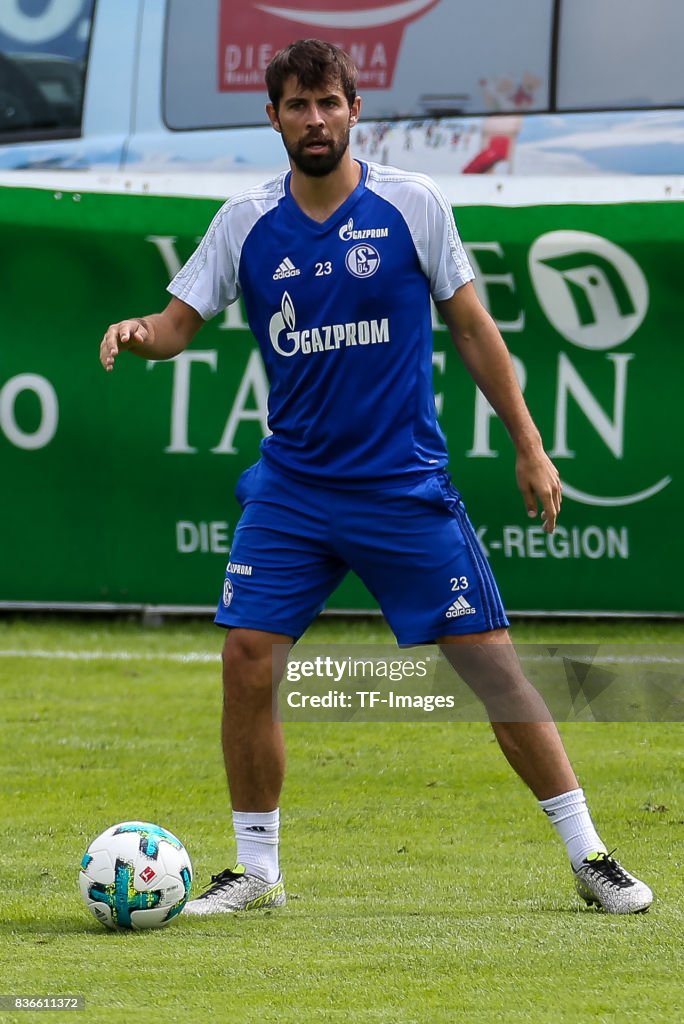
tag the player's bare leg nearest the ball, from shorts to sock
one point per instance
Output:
(253, 747)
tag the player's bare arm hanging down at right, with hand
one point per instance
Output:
(485, 354)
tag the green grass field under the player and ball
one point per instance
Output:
(425, 885)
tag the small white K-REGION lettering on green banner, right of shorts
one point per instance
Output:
(576, 542)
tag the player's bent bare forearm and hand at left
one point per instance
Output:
(160, 336)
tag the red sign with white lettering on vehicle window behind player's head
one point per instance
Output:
(371, 31)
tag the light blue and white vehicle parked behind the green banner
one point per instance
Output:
(540, 88)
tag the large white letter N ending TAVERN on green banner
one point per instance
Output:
(612, 433)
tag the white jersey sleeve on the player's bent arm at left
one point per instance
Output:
(209, 281)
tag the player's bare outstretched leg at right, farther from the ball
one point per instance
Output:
(520, 717)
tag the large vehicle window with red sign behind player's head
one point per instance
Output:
(503, 61)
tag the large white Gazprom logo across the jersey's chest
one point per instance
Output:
(329, 338)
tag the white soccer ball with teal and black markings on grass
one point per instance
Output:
(136, 875)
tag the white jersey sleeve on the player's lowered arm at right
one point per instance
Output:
(447, 265)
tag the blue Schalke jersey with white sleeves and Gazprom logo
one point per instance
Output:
(341, 312)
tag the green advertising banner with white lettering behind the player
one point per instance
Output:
(119, 489)
